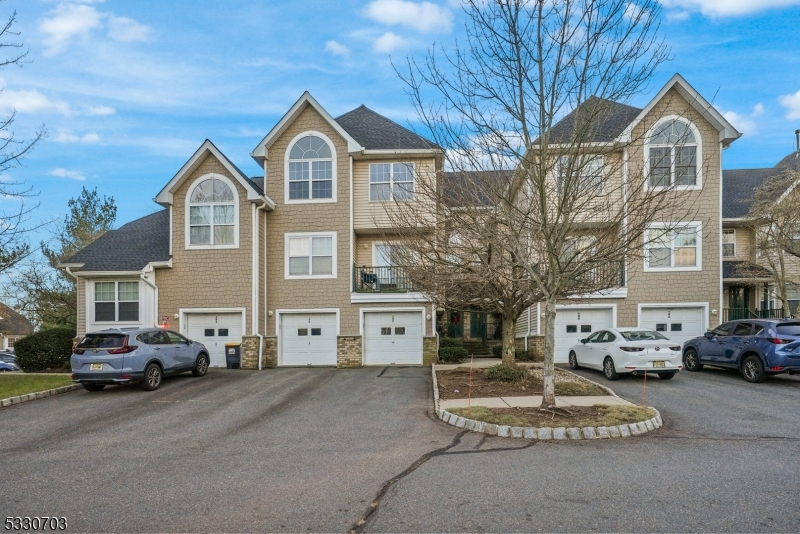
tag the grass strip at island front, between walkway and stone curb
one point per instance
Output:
(573, 416)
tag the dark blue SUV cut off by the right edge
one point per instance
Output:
(756, 347)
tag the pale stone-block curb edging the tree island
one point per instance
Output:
(546, 433)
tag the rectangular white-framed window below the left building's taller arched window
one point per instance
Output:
(310, 255)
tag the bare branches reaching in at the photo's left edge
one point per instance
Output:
(14, 223)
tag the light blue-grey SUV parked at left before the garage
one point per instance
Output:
(132, 355)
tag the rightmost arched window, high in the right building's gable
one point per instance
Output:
(671, 155)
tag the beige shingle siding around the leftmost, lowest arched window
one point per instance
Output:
(207, 278)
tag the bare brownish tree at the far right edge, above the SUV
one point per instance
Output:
(774, 217)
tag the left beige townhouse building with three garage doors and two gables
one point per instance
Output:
(291, 263)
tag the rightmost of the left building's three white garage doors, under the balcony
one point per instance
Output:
(393, 338)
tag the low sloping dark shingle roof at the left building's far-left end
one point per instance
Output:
(129, 248)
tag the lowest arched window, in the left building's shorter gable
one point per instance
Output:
(212, 213)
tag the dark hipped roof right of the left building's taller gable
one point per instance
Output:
(375, 132)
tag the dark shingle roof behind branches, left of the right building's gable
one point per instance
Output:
(607, 119)
